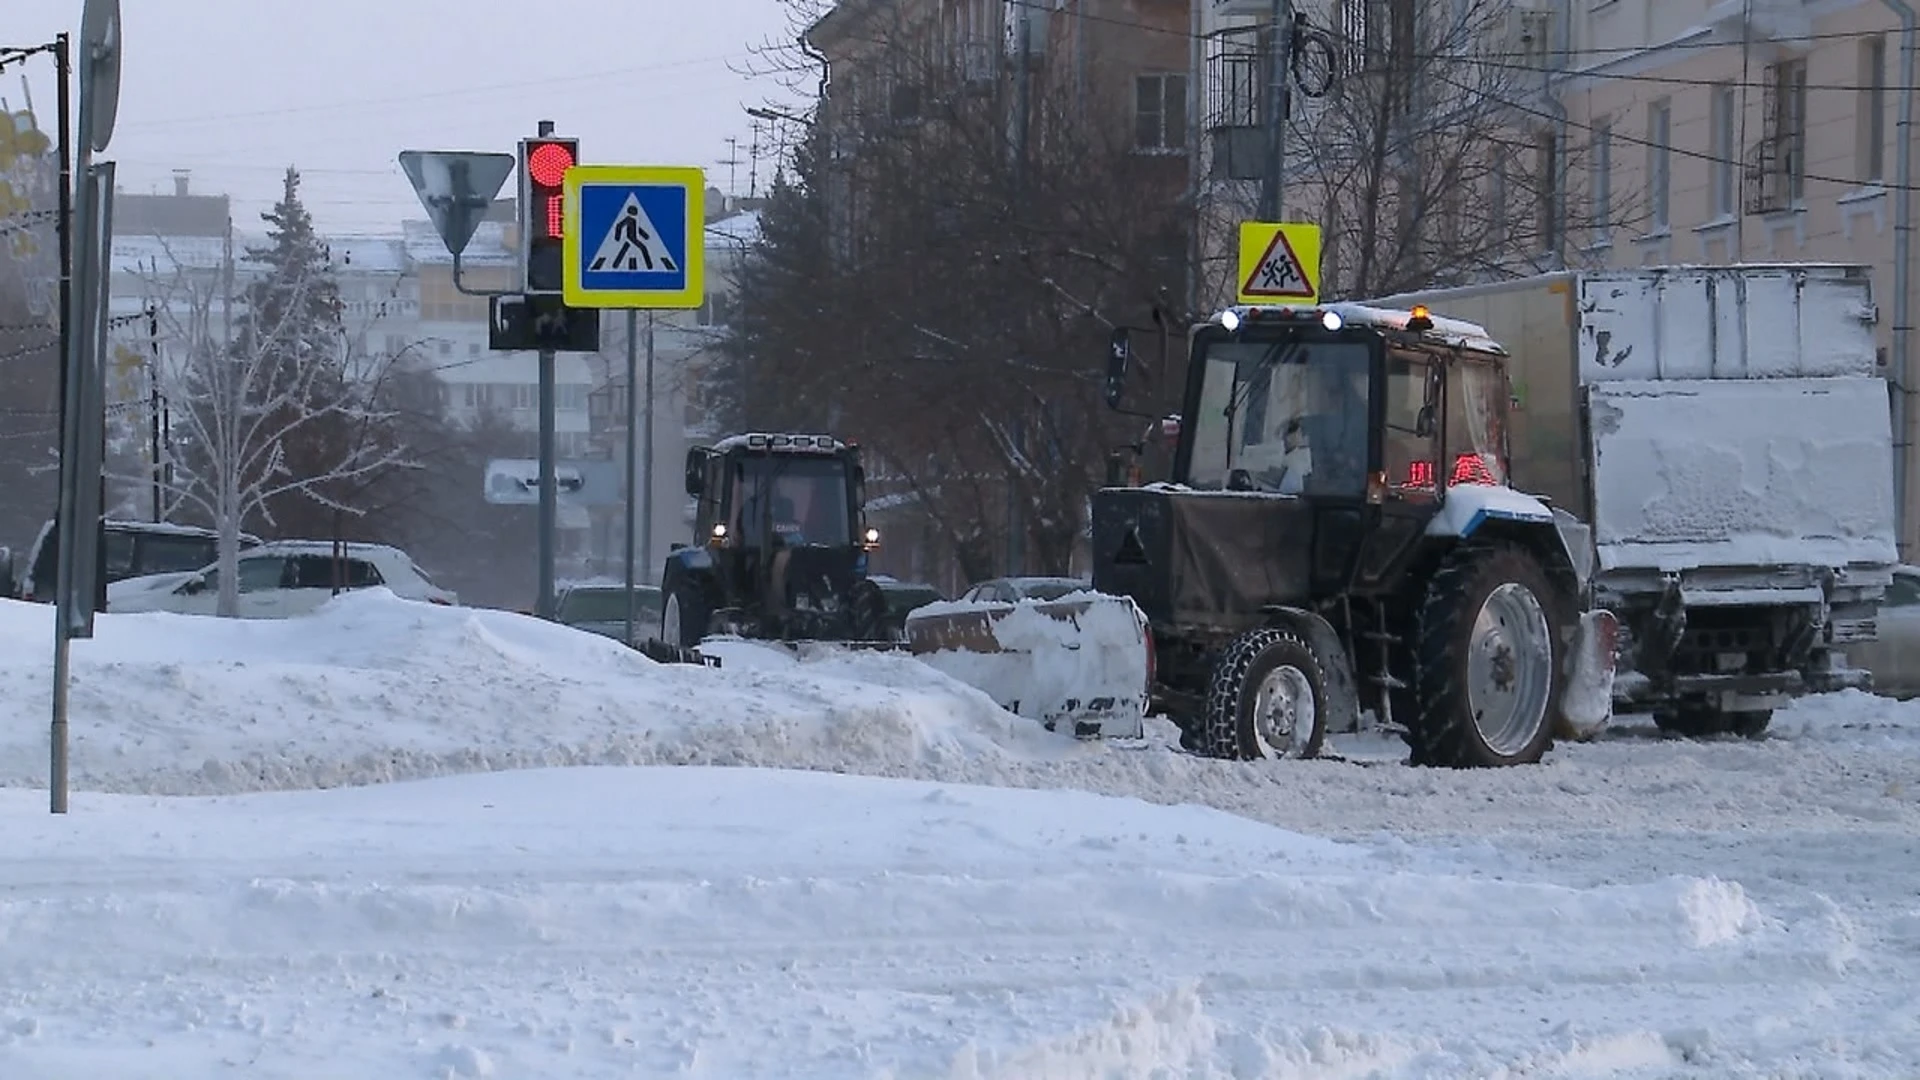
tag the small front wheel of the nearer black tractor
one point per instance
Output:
(1266, 699)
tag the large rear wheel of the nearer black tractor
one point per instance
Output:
(1489, 658)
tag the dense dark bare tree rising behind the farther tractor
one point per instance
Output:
(938, 276)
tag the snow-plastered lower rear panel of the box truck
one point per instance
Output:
(1779, 472)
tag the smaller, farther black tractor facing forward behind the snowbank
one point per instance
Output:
(780, 547)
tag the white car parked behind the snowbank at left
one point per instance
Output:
(281, 579)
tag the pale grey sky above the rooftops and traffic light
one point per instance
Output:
(339, 89)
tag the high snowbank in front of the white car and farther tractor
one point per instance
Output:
(381, 689)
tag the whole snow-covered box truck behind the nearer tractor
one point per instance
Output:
(1729, 437)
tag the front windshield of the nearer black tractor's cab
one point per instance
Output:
(1284, 414)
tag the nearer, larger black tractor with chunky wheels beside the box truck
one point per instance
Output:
(1337, 535)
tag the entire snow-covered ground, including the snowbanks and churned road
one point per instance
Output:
(1633, 908)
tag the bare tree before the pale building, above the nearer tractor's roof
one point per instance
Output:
(1424, 145)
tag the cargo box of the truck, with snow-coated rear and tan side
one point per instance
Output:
(1735, 414)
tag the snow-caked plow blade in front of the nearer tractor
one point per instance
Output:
(1078, 666)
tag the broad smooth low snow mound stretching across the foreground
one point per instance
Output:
(754, 923)
